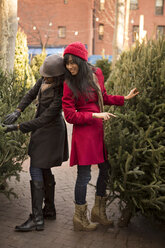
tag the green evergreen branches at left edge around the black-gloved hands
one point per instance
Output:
(13, 146)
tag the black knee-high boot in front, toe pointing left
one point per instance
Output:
(36, 220)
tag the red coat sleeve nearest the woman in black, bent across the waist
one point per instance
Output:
(69, 108)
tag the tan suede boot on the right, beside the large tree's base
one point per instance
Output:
(98, 213)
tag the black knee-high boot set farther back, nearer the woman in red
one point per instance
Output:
(49, 210)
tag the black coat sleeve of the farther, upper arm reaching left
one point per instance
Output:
(30, 96)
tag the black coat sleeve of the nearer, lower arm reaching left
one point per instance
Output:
(54, 109)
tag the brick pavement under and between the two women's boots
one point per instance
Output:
(59, 233)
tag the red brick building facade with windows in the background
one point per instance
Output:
(56, 23)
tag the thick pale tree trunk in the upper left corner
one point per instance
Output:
(8, 30)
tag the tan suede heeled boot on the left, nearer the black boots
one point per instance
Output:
(80, 219)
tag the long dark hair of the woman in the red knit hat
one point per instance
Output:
(83, 81)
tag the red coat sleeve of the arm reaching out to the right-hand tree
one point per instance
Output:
(108, 99)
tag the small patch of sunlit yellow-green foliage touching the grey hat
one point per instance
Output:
(36, 63)
